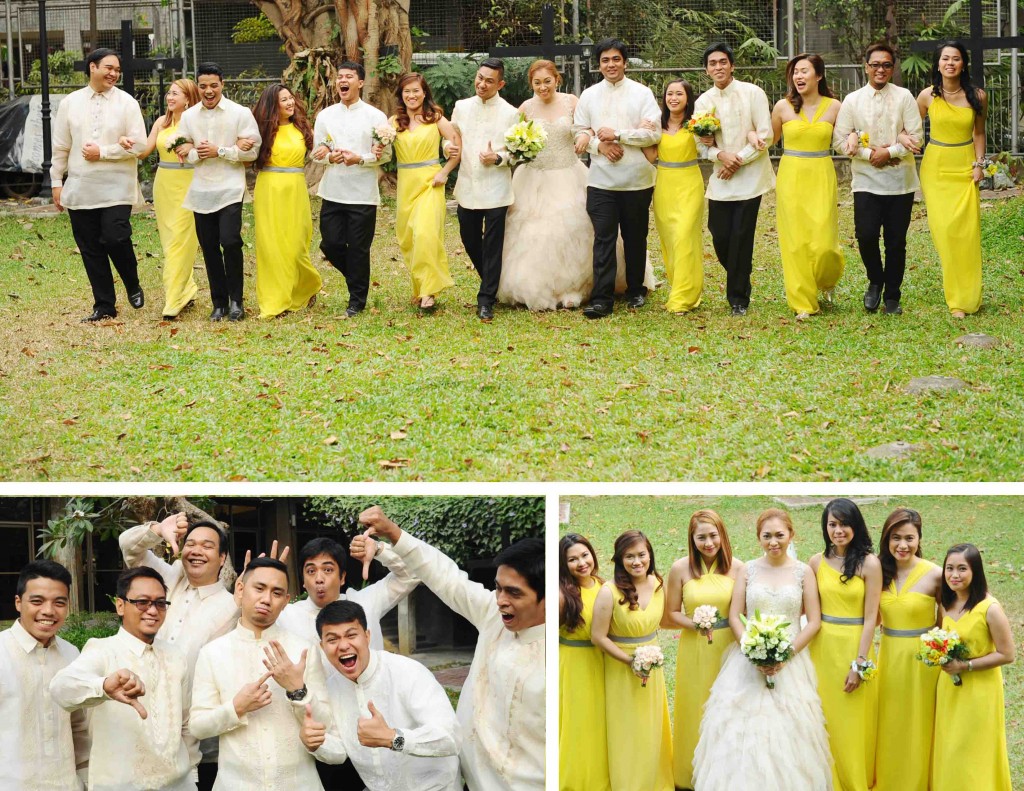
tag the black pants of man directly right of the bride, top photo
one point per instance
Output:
(612, 213)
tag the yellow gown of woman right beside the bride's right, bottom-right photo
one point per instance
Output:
(850, 718)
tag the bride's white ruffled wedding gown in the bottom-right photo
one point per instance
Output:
(760, 739)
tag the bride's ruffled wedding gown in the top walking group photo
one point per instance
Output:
(548, 259)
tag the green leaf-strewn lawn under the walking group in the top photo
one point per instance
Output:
(395, 396)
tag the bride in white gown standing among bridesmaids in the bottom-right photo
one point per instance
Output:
(753, 737)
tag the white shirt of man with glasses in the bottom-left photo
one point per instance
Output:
(129, 753)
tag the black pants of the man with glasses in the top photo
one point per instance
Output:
(887, 216)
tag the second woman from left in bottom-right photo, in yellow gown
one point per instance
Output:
(627, 615)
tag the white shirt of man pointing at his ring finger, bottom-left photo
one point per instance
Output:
(262, 750)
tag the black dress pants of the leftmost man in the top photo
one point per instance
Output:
(104, 237)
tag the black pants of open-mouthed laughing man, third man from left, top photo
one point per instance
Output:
(347, 234)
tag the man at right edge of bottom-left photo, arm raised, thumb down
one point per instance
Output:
(502, 706)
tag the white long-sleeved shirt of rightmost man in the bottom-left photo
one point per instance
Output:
(502, 705)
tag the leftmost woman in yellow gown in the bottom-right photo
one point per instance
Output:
(583, 748)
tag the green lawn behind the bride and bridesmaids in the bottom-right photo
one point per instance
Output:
(994, 524)
